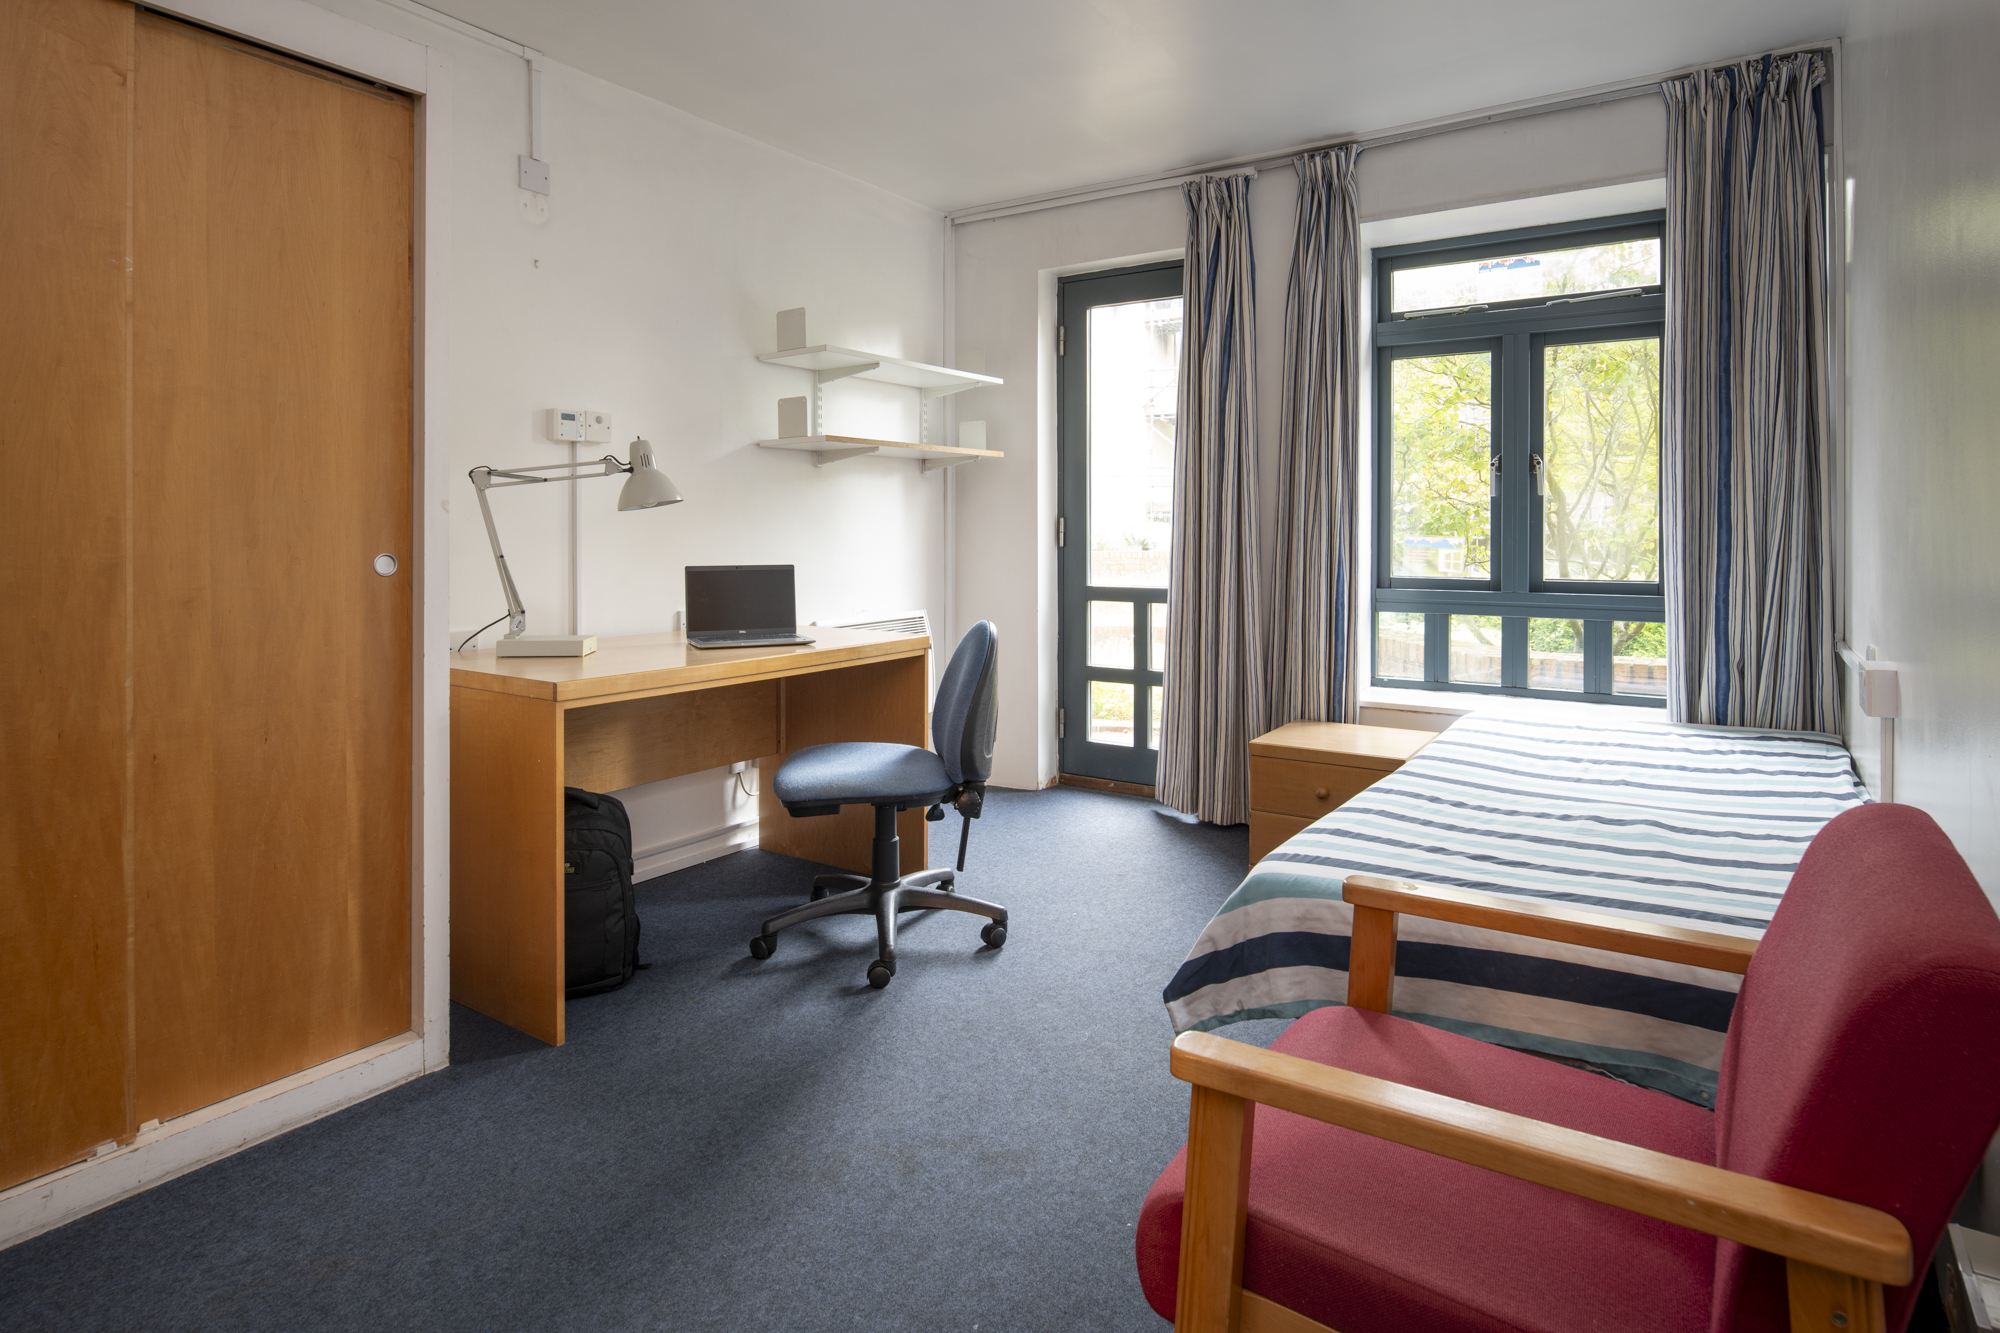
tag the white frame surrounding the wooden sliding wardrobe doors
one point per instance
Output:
(173, 1148)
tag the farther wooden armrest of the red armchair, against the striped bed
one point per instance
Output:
(1647, 940)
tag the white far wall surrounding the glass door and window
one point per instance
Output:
(1005, 313)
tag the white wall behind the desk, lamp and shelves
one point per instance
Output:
(669, 249)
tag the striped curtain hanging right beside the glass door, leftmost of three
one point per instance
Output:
(1215, 633)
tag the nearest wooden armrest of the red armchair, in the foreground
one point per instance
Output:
(1797, 1224)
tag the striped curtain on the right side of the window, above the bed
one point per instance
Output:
(1745, 447)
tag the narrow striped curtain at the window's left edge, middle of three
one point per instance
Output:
(1313, 607)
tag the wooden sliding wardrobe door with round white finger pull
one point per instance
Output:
(271, 467)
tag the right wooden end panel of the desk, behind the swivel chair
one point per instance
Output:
(877, 702)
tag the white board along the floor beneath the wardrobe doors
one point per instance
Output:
(207, 1136)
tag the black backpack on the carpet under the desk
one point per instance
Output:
(599, 910)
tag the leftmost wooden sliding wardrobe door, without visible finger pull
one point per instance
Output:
(65, 982)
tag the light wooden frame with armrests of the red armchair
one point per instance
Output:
(1839, 1256)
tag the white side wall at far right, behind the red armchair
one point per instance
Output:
(1923, 401)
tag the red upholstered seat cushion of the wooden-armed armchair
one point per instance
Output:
(1377, 1238)
